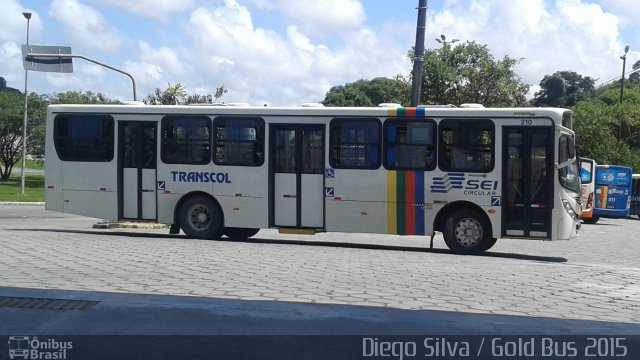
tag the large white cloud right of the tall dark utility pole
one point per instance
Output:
(573, 35)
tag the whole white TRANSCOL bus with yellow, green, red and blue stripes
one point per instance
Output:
(474, 174)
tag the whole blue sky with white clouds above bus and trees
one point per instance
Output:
(287, 52)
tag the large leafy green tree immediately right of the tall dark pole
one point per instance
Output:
(468, 73)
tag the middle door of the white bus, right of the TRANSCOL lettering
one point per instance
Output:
(297, 175)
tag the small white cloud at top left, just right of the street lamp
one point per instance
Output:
(85, 25)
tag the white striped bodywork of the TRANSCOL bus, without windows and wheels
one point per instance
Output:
(405, 202)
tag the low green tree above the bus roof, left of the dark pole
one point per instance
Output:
(369, 92)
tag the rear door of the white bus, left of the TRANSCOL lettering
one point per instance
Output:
(137, 153)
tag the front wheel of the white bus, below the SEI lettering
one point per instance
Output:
(467, 233)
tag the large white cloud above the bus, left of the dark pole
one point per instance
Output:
(261, 66)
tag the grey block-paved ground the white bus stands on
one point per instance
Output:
(583, 286)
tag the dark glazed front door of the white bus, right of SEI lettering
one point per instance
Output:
(527, 190)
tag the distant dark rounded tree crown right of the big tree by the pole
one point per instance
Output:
(564, 89)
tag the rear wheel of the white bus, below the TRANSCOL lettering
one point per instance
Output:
(201, 218)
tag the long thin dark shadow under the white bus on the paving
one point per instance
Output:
(257, 240)
